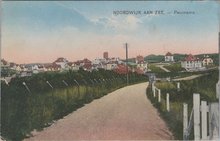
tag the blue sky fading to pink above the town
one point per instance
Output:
(42, 31)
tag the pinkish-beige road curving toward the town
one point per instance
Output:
(125, 114)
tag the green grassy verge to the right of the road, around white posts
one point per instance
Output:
(205, 86)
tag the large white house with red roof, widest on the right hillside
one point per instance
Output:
(191, 63)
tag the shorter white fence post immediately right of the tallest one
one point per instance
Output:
(204, 111)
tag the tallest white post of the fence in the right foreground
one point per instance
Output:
(196, 109)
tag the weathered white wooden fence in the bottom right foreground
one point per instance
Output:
(205, 120)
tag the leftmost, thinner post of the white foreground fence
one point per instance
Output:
(185, 121)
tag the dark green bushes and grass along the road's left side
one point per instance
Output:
(23, 111)
